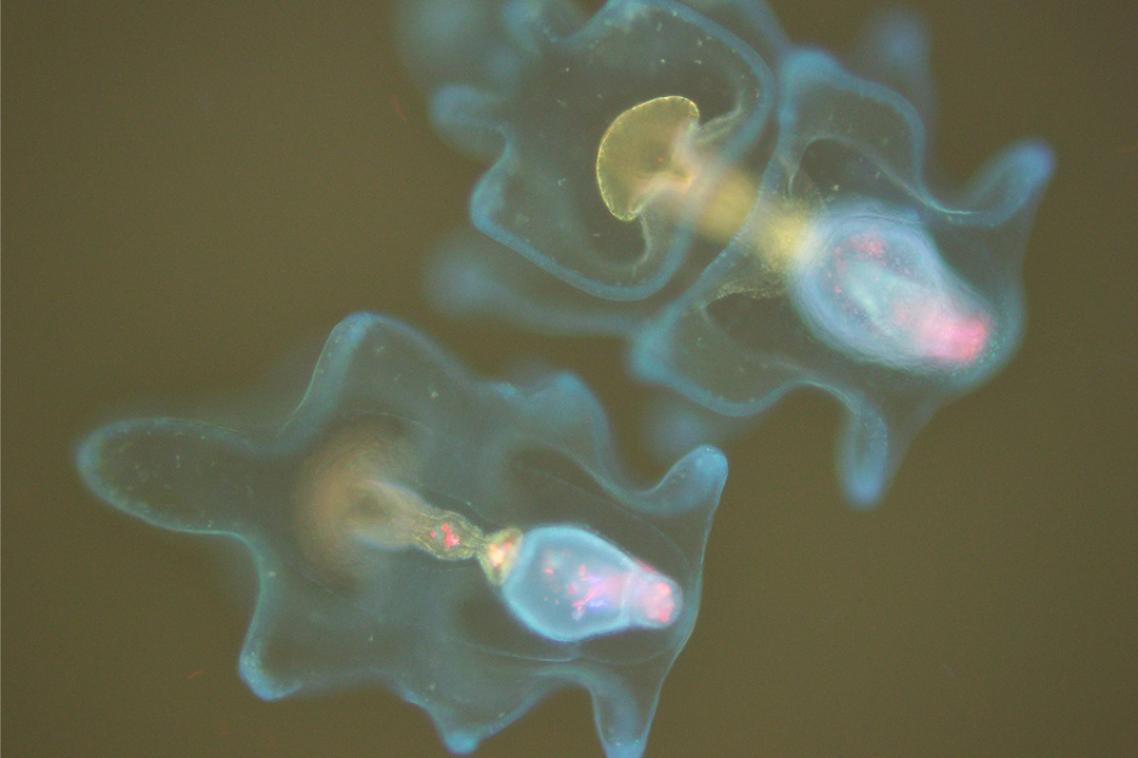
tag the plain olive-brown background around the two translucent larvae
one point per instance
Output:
(193, 191)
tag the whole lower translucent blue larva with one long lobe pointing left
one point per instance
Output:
(362, 507)
